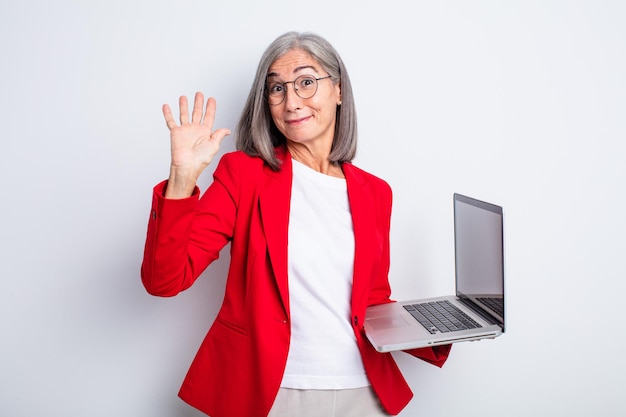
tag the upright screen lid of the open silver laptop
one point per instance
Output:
(479, 254)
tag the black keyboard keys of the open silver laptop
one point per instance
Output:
(441, 316)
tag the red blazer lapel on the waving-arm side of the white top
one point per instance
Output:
(275, 201)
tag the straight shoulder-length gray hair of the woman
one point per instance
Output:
(257, 135)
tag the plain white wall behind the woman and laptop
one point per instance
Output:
(520, 103)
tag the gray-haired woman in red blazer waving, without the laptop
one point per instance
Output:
(309, 236)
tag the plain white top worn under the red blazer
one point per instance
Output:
(323, 353)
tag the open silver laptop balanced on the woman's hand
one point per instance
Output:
(475, 312)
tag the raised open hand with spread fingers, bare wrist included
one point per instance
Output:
(193, 144)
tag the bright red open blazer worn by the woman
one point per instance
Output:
(239, 367)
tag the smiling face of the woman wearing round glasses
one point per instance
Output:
(309, 121)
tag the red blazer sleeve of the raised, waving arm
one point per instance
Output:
(185, 236)
